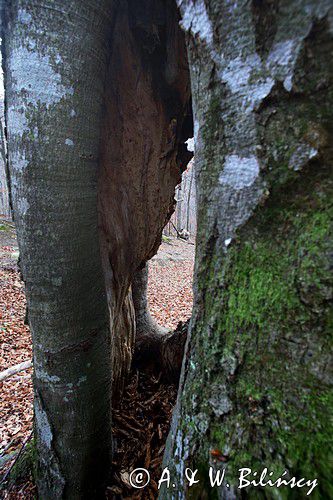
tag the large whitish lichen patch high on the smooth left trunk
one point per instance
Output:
(35, 75)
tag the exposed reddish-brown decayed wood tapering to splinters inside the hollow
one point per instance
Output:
(148, 117)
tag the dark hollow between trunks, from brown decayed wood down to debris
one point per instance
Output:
(147, 123)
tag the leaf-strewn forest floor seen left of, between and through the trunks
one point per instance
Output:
(142, 422)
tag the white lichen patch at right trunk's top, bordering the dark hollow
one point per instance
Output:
(195, 19)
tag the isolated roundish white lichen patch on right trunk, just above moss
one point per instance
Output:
(239, 172)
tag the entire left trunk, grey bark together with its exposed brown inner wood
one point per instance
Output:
(98, 112)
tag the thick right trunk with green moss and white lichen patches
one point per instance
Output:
(257, 384)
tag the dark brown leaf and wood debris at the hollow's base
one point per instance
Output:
(140, 429)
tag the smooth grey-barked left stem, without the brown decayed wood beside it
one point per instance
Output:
(55, 63)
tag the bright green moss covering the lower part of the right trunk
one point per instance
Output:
(268, 306)
